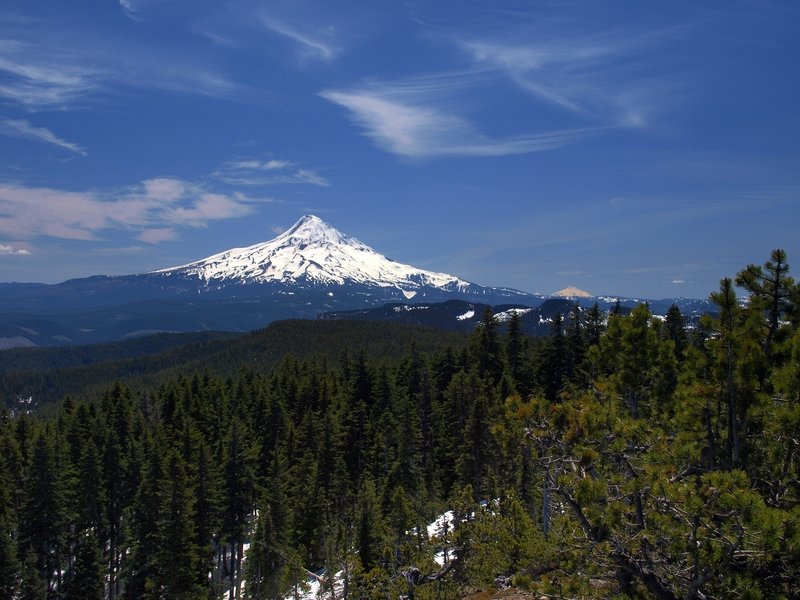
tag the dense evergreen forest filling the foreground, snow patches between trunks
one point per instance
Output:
(621, 456)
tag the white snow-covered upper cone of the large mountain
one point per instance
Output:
(312, 251)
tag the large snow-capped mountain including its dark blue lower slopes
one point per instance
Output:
(309, 269)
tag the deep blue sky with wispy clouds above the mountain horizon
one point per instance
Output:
(627, 147)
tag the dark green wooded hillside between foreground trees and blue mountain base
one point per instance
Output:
(49, 374)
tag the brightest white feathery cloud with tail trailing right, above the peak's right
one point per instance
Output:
(410, 122)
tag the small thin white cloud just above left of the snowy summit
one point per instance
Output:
(256, 172)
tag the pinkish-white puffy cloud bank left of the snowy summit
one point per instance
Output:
(153, 211)
